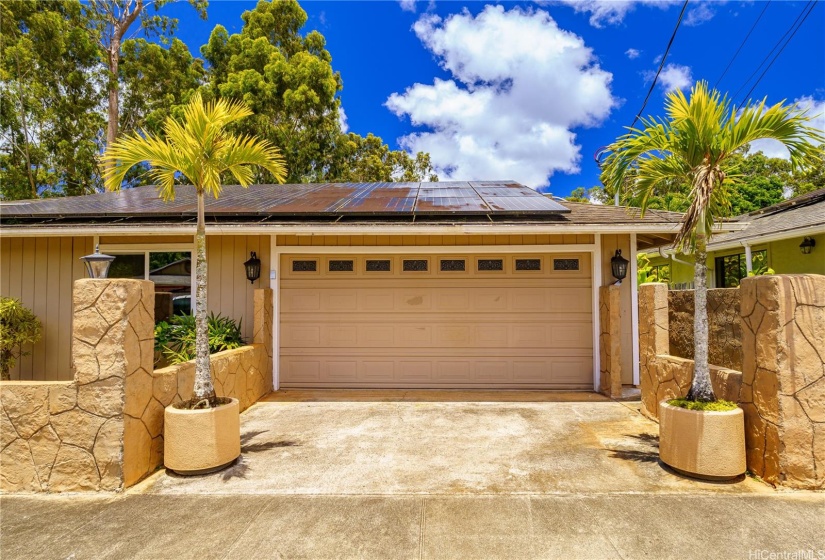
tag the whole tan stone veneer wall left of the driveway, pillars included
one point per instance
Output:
(103, 431)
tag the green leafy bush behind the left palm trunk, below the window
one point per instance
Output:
(175, 339)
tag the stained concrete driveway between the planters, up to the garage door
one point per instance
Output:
(444, 442)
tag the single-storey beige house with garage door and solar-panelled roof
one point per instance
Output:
(449, 285)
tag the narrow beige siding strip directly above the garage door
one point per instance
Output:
(429, 240)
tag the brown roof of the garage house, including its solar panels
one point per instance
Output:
(459, 202)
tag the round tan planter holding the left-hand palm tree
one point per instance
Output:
(203, 440)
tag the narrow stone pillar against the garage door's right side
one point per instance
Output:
(610, 343)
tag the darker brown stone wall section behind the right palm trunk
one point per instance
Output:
(725, 326)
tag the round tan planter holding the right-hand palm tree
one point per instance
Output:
(702, 444)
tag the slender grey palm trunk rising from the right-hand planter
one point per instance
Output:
(701, 389)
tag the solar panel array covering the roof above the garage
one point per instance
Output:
(311, 199)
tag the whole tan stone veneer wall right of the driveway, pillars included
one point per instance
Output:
(782, 384)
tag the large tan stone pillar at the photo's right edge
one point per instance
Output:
(783, 378)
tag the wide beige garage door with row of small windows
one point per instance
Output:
(499, 321)
